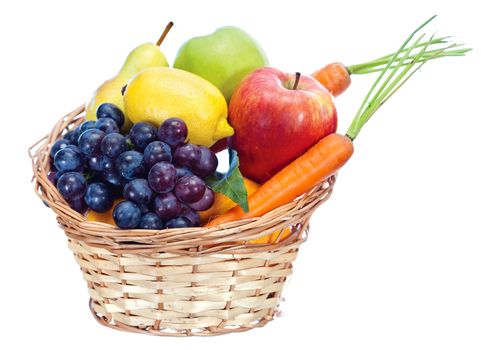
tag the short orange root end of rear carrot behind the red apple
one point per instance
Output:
(335, 77)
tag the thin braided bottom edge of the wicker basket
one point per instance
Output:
(170, 332)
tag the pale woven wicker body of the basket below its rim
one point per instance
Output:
(179, 295)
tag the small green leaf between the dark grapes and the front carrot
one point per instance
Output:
(231, 183)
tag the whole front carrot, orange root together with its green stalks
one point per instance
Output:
(327, 156)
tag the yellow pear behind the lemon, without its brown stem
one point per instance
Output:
(143, 56)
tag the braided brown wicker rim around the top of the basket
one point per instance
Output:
(230, 237)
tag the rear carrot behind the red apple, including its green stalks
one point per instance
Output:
(336, 77)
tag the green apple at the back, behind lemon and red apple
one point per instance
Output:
(224, 57)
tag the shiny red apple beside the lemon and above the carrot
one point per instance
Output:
(276, 121)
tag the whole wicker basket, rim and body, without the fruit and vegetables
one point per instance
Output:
(179, 282)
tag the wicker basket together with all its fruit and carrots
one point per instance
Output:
(154, 268)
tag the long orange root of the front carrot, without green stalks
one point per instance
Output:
(321, 161)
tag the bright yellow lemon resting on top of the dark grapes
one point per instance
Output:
(159, 93)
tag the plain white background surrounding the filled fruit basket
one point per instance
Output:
(394, 258)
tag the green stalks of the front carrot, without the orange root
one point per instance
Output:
(402, 65)
